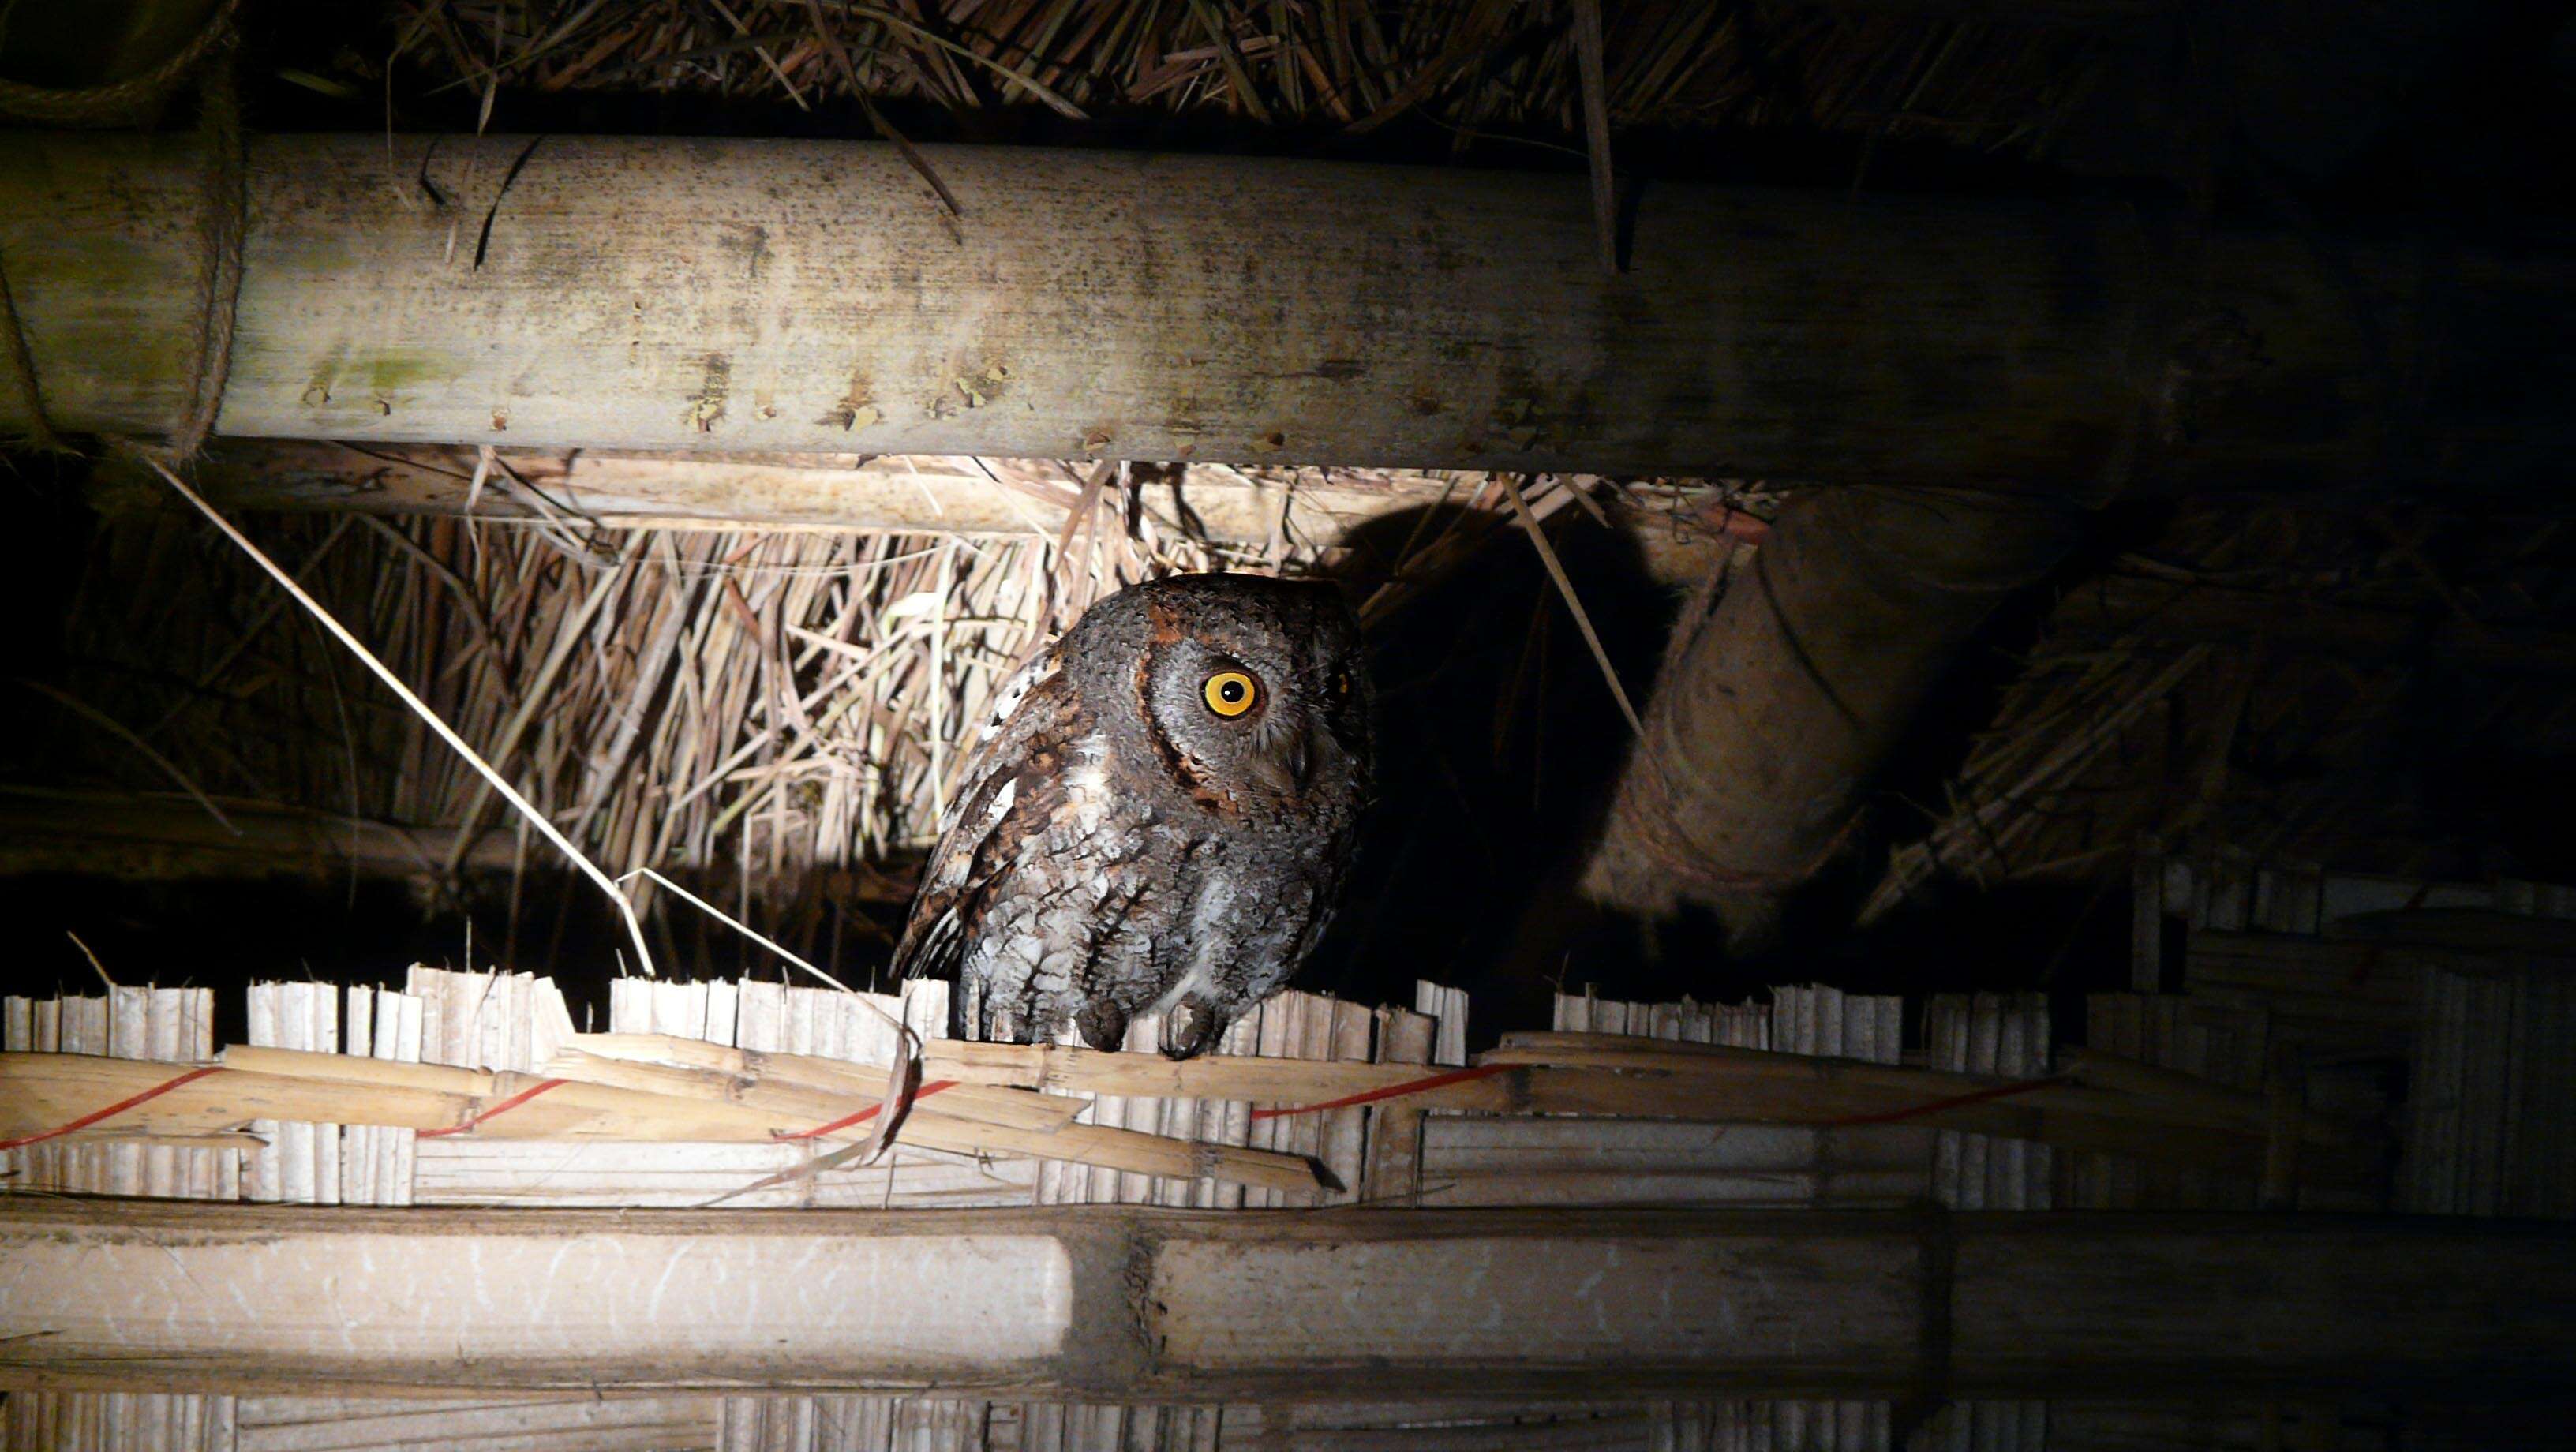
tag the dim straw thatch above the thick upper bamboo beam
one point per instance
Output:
(1485, 71)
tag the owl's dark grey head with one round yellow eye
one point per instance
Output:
(1245, 689)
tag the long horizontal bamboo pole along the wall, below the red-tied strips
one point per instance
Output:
(1124, 1304)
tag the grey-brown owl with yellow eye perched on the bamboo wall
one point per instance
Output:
(1158, 817)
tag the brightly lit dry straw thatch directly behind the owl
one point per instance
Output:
(764, 714)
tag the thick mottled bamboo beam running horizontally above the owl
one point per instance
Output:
(808, 297)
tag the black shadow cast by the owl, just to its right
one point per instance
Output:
(1498, 745)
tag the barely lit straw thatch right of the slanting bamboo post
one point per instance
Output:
(2299, 678)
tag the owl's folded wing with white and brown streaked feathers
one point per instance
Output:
(1011, 792)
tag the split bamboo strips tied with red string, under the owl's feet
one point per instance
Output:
(681, 1090)
